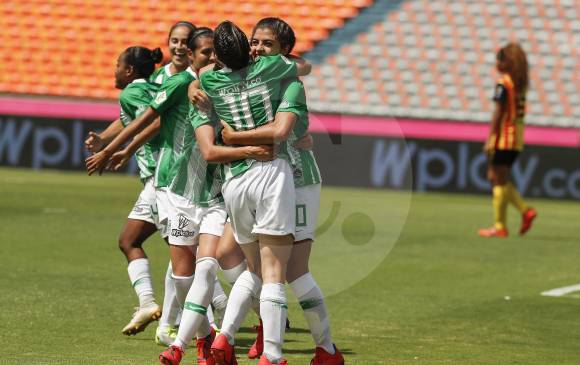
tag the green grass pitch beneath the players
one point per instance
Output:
(441, 296)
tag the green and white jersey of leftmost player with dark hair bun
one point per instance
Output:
(134, 100)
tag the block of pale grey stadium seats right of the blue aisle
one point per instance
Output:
(450, 47)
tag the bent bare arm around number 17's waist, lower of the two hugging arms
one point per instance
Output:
(211, 152)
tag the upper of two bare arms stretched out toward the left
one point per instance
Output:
(98, 161)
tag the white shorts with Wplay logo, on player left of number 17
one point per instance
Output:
(183, 222)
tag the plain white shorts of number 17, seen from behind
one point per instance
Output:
(261, 201)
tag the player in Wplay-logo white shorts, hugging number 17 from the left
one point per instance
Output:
(188, 196)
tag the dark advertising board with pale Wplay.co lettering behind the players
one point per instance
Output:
(345, 160)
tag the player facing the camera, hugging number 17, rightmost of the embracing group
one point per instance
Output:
(272, 36)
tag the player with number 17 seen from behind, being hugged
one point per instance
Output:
(259, 196)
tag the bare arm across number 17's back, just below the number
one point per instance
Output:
(277, 131)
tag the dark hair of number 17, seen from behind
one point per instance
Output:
(231, 45)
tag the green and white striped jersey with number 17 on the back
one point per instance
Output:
(246, 99)
